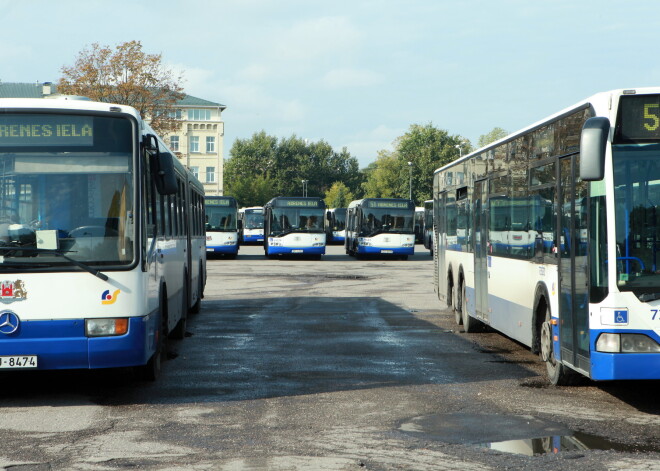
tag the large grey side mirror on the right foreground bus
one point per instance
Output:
(593, 143)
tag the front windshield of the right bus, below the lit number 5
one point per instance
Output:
(637, 199)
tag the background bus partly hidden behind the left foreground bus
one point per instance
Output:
(221, 225)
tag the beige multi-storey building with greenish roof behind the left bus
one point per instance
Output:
(199, 143)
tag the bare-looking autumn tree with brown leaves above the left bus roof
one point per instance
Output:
(126, 76)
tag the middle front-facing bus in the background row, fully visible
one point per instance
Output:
(294, 225)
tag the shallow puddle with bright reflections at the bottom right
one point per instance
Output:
(562, 443)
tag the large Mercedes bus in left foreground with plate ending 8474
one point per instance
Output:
(102, 249)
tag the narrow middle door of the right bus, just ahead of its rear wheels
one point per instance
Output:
(480, 248)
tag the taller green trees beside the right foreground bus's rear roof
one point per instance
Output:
(426, 148)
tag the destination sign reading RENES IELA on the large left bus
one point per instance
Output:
(46, 130)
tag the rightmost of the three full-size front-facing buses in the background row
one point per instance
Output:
(383, 226)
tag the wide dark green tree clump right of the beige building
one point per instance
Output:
(282, 165)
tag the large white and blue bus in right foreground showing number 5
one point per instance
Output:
(551, 236)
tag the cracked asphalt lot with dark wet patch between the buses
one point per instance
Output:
(337, 364)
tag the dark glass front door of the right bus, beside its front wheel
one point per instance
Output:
(573, 270)
